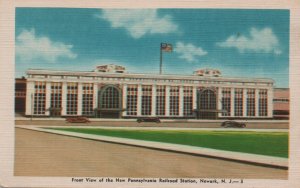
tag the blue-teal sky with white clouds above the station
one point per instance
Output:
(240, 43)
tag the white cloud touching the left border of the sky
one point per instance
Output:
(31, 47)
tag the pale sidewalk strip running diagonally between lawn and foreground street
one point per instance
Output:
(263, 160)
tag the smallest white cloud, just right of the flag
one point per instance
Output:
(188, 51)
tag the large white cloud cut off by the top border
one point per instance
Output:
(139, 22)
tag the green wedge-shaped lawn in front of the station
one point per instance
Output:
(264, 143)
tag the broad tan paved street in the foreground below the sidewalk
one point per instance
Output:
(44, 154)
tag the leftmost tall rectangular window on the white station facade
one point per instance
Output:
(39, 98)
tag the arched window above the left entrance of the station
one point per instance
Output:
(110, 98)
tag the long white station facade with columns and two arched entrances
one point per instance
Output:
(110, 92)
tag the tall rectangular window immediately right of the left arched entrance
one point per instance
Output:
(132, 100)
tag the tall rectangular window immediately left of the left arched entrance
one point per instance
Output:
(87, 99)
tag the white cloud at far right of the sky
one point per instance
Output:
(262, 40)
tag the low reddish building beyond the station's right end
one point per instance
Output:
(281, 103)
